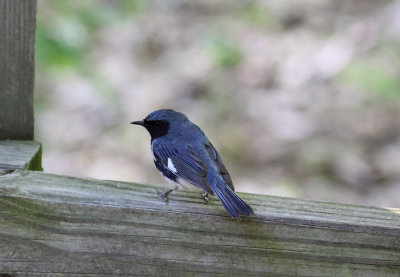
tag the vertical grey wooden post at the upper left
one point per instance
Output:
(17, 40)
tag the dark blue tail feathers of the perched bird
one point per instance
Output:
(232, 203)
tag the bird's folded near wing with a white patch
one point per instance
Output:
(184, 163)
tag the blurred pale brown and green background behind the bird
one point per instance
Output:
(302, 98)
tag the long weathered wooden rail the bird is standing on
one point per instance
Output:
(81, 227)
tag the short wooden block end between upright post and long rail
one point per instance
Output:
(16, 154)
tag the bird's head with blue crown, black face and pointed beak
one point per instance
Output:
(159, 122)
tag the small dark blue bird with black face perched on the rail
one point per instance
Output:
(182, 153)
